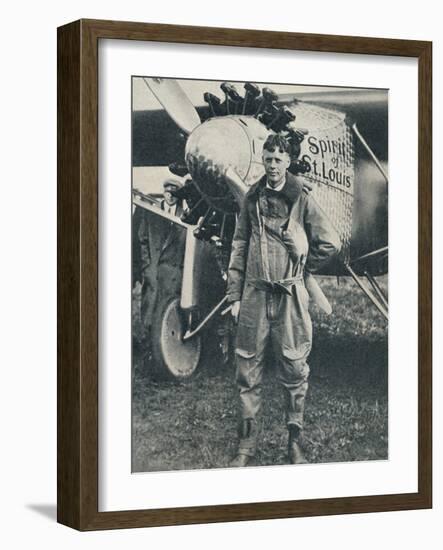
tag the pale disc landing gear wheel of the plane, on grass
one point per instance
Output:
(173, 358)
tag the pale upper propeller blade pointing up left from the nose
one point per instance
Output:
(175, 102)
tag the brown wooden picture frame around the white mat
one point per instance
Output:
(78, 464)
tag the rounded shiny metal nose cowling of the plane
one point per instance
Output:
(234, 142)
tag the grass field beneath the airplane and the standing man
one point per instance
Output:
(193, 424)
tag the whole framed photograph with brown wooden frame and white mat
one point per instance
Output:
(234, 209)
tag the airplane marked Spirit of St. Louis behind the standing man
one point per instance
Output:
(339, 139)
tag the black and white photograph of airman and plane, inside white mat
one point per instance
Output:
(259, 274)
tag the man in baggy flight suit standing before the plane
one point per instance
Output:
(281, 232)
